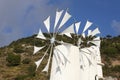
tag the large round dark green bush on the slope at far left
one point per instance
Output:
(13, 60)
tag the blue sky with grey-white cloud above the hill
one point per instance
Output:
(23, 18)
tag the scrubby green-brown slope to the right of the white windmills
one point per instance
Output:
(110, 50)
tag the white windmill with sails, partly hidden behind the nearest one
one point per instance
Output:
(90, 58)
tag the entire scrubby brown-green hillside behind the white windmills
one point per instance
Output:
(17, 59)
